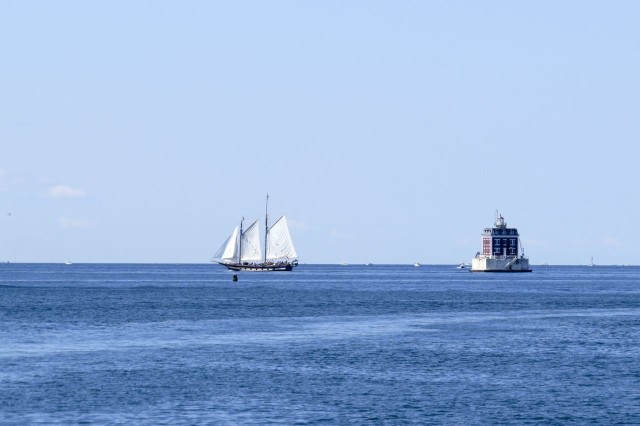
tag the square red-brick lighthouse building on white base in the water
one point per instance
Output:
(500, 247)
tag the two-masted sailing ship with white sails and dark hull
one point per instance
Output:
(242, 252)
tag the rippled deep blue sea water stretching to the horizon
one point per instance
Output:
(325, 344)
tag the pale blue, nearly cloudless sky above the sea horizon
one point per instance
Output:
(386, 131)
